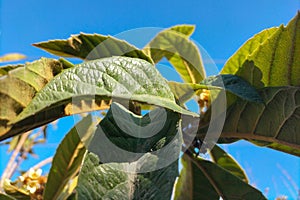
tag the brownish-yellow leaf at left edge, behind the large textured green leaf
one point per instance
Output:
(20, 85)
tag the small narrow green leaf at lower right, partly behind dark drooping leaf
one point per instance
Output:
(225, 161)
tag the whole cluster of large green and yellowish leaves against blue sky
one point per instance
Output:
(261, 82)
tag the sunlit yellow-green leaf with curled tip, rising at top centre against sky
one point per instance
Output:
(182, 53)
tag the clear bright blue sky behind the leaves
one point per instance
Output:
(222, 26)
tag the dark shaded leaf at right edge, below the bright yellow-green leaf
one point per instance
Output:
(273, 125)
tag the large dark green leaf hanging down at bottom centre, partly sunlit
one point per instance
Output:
(146, 178)
